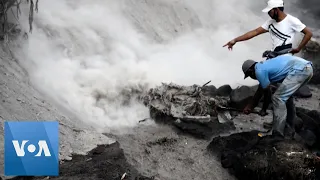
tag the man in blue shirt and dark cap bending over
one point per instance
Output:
(291, 72)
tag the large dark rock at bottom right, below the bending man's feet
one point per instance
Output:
(251, 157)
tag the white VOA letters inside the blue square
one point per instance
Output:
(42, 147)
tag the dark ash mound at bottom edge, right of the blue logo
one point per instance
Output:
(103, 162)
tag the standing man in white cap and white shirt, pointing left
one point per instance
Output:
(281, 28)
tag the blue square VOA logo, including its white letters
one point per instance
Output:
(31, 148)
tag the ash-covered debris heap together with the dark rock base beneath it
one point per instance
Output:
(193, 109)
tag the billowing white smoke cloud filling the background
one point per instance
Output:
(84, 50)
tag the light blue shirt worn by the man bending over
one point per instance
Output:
(276, 69)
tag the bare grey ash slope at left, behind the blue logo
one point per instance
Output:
(20, 102)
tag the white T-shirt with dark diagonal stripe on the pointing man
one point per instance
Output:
(282, 33)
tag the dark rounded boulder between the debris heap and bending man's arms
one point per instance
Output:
(240, 97)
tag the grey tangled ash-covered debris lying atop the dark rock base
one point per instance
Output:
(183, 101)
